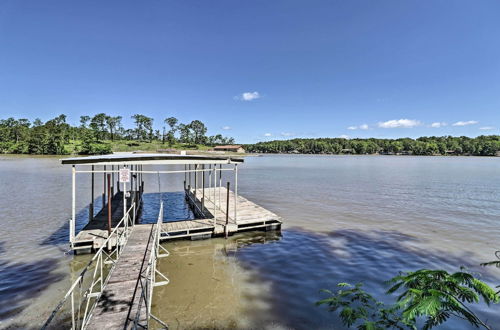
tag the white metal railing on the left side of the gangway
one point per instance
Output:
(84, 293)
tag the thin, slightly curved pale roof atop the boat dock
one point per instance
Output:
(150, 159)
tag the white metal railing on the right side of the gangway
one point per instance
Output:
(148, 279)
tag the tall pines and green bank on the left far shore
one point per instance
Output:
(95, 135)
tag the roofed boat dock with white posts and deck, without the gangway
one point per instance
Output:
(218, 210)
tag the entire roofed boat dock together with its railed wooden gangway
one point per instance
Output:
(115, 289)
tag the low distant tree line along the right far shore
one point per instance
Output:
(445, 145)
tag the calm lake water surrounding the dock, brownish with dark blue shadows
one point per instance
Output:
(346, 218)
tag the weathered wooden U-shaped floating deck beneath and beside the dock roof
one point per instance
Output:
(211, 210)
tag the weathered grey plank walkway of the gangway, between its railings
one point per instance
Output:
(120, 301)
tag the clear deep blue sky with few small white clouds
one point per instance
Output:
(258, 70)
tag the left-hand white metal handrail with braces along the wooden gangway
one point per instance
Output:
(79, 320)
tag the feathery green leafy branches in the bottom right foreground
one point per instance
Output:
(434, 295)
